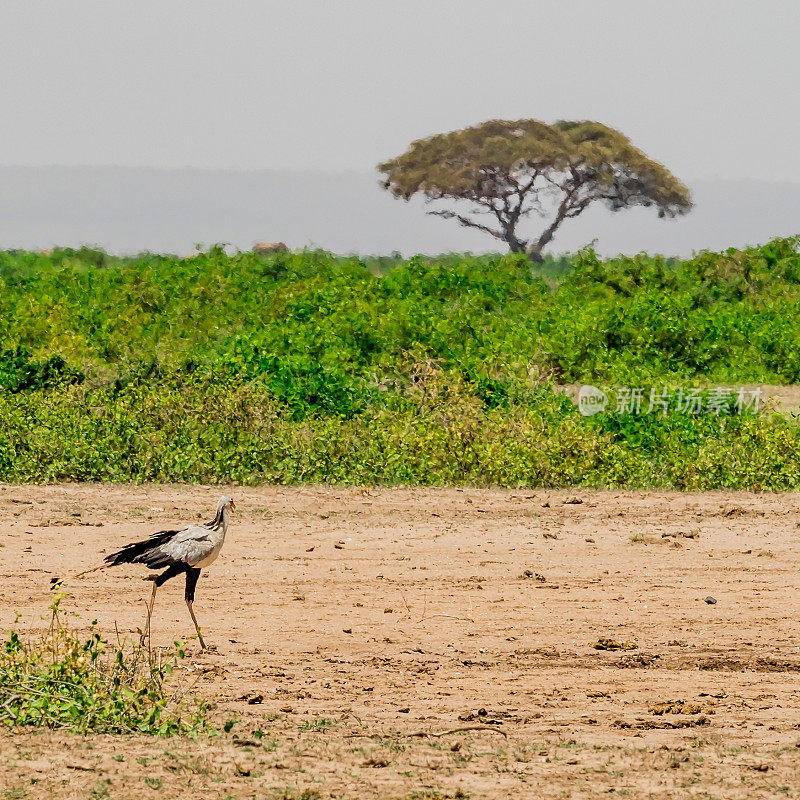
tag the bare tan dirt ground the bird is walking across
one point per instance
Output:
(435, 643)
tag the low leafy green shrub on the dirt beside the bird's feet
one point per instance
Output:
(65, 682)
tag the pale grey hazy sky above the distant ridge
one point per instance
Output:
(710, 88)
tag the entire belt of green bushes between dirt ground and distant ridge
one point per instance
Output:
(304, 367)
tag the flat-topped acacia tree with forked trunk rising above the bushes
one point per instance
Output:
(509, 170)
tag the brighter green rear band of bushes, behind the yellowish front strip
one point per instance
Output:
(729, 317)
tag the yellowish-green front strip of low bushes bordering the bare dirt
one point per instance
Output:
(237, 431)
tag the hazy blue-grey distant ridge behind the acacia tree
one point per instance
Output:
(130, 209)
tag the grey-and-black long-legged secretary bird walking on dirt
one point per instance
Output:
(187, 550)
